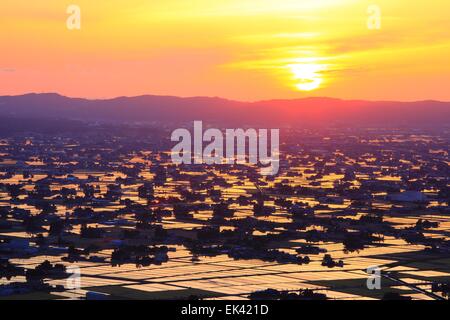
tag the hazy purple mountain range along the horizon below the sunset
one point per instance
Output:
(165, 109)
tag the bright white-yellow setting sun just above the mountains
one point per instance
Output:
(308, 76)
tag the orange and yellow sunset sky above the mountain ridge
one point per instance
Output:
(246, 49)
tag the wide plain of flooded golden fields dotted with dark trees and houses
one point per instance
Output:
(106, 201)
